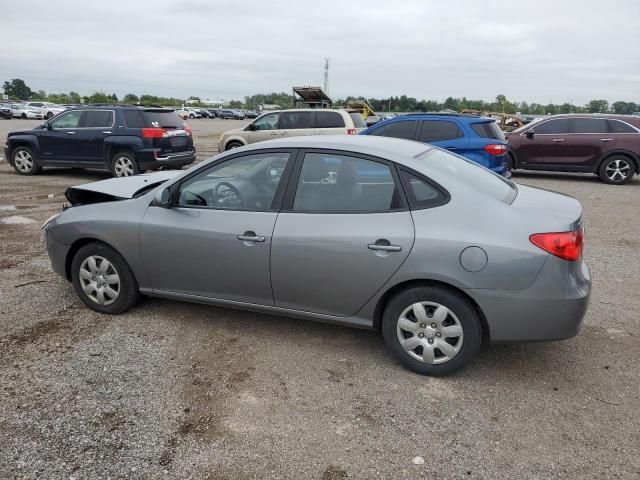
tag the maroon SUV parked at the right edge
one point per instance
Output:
(606, 145)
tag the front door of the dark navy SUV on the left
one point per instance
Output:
(60, 142)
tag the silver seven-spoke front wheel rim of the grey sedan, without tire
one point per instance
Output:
(99, 280)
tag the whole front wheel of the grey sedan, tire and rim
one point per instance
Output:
(103, 280)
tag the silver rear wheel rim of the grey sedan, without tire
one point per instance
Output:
(430, 332)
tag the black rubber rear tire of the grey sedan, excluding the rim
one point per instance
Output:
(464, 316)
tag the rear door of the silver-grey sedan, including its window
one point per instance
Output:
(340, 236)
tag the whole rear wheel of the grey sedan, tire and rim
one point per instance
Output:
(432, 331)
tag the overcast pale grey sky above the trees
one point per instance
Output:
(538, 50)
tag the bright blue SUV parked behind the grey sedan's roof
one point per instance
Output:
(477, 138)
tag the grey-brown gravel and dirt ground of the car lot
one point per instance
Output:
(172, 390)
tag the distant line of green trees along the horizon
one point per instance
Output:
(17, 89)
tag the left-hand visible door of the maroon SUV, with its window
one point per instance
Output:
(546, 145)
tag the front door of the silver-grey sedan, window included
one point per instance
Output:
(216, 240)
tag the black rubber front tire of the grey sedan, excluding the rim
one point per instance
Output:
(128, 293)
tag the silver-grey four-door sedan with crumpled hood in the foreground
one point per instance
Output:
(436, 252)
